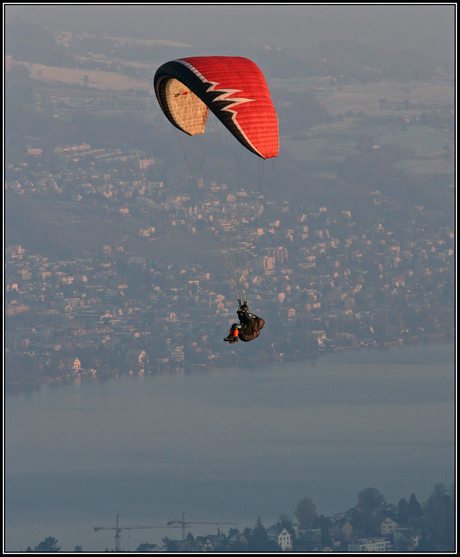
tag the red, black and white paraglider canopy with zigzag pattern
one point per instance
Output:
(233, 88)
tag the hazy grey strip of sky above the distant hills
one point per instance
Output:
(413, 27)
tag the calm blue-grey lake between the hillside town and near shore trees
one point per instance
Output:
(228, 445)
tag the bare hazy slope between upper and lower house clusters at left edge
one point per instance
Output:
(64, 230)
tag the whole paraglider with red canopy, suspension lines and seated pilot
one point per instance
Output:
(234, 90)
